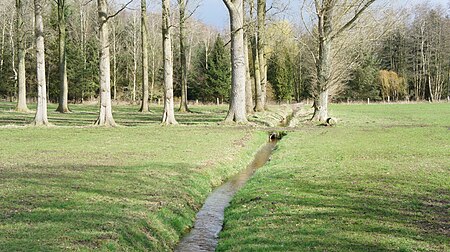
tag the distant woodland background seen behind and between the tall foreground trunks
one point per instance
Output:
(390, 54)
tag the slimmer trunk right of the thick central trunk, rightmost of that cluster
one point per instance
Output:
(261, 44)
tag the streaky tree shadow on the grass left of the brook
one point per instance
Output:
(90, 207)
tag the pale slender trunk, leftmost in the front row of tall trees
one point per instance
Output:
(41, 110)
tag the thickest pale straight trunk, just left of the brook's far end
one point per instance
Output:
(237, 111)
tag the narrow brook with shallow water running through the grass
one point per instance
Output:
(209, 220)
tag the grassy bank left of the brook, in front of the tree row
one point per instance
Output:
(135, 188)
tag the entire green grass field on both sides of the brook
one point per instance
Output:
(380, 180)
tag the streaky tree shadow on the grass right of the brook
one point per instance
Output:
(337, 216)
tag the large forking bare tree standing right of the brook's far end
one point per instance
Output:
(333, 18)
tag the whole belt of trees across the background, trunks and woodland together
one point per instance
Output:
(340, 50)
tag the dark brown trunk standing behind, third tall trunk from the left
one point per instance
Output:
(63, 85)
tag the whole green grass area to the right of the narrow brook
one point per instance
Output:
(379, 181)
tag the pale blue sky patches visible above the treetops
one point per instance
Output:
(214, 12)
